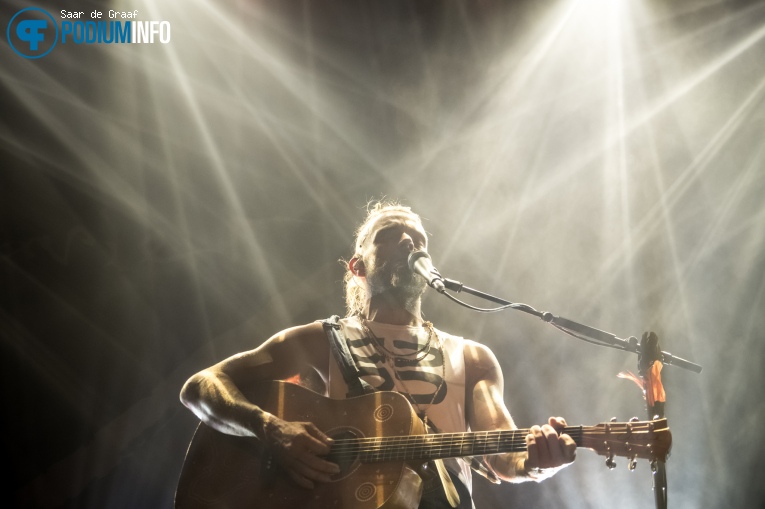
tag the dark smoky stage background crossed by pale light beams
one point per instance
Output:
(165, 206)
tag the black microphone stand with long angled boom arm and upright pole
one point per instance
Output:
(648, 351)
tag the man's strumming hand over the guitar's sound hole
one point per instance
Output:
(297, 447)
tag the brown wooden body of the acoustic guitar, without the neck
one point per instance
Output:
(228, 472)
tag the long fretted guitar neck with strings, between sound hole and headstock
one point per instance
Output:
(441, 445)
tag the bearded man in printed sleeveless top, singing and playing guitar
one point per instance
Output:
(453, 384)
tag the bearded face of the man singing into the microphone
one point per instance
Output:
(385, 249)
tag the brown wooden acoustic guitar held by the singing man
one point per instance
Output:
(379, 443)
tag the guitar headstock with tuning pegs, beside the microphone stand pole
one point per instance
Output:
(651, 440)
